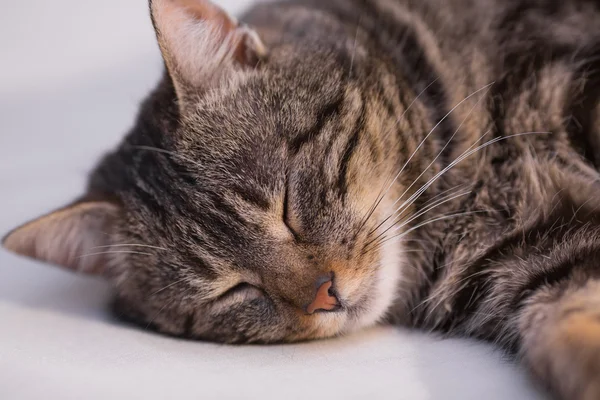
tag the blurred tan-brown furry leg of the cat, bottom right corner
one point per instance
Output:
(560, 337)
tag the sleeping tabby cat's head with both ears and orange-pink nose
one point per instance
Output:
(242, 206)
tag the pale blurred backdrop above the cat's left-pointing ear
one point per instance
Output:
(72, 75)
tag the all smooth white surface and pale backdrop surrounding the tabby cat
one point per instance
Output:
(72, 74)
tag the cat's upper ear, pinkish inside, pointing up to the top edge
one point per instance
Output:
(200, 42)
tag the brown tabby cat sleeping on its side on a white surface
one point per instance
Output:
(325, 166)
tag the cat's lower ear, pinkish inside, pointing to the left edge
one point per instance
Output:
(76, 237)
